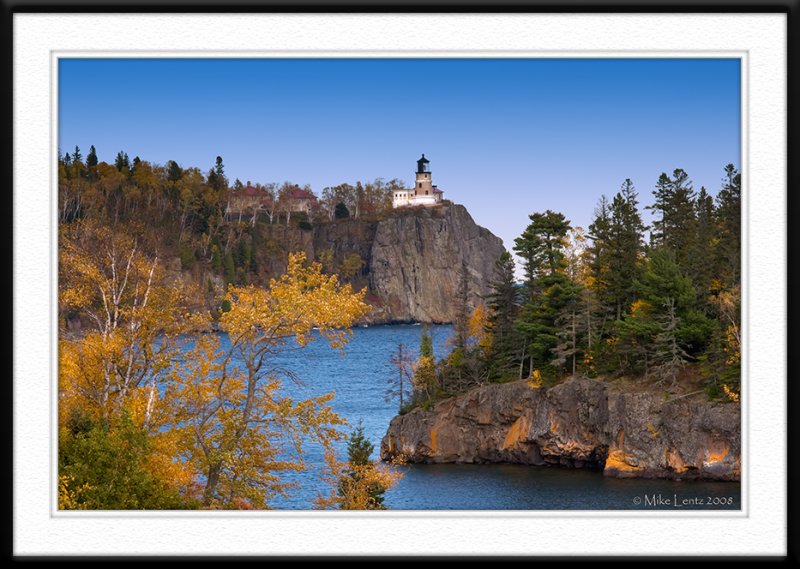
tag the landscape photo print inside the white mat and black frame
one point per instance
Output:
(399, 283)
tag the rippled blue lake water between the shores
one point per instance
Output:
(359, 380)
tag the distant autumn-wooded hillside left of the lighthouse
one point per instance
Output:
(184, 213)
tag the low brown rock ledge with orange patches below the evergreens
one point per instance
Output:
(579, 423)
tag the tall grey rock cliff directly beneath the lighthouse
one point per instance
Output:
(411, 259)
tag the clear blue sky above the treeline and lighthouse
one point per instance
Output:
(505, 137)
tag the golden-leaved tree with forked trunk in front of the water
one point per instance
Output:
(239, 432)
